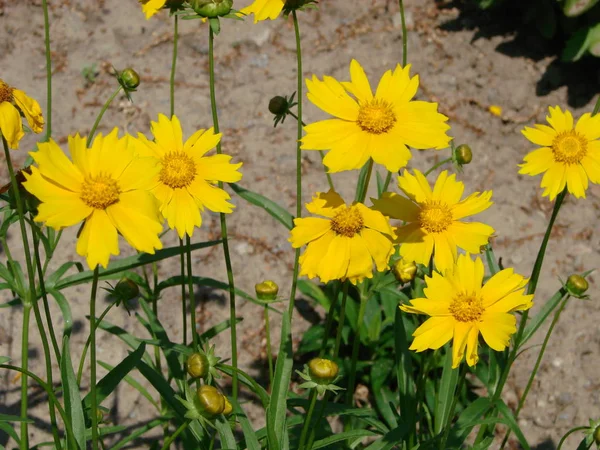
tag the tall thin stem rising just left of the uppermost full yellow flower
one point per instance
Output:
(298, 160)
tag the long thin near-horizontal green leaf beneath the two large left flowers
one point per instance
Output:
(115, 268)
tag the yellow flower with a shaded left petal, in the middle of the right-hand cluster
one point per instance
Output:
(433, 218)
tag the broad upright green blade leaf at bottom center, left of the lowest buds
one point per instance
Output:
(276, 412)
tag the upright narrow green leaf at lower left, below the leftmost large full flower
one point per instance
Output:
(73, 407)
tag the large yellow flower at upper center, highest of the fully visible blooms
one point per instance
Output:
(380, 126)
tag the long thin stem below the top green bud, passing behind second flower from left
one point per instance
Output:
(224, 233)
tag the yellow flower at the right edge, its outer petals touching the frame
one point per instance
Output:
(569, 155)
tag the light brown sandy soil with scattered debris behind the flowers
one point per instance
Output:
(466, 62)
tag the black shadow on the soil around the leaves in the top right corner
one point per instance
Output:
(525, 23)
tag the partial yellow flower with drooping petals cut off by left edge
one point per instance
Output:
(12, 103)
